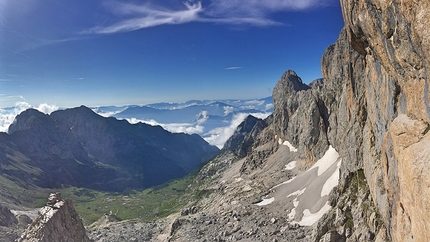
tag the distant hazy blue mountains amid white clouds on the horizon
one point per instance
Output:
(214, 120)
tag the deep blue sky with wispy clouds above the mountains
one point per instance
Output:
(70, 53)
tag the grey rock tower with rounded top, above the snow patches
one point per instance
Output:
(297, 117)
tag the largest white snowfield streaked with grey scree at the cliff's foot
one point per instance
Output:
(306, 195)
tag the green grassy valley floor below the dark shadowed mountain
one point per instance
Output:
(146, 205)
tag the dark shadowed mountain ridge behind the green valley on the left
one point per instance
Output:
(81, 148)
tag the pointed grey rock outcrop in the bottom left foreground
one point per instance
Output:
(57, 221)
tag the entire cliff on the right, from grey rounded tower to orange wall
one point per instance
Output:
(373, 107)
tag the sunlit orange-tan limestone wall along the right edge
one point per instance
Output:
(393, 40)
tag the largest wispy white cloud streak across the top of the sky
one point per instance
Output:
(237, 12)
